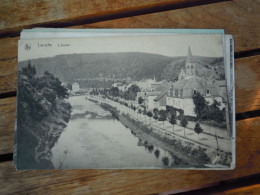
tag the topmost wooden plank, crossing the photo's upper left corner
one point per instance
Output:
(30, 13)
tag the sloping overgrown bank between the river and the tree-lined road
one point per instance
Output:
(184, 153)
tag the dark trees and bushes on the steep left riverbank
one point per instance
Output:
(42, 114)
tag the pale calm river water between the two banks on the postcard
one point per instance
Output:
(93, 138)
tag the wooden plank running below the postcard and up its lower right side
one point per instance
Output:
(134, 181)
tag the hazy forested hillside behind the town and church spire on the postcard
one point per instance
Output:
(136, 65)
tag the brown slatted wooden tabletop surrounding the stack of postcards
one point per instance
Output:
(238, 17)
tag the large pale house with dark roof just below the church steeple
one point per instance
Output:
(181, 92)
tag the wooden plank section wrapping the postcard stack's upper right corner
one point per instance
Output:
(238, 17)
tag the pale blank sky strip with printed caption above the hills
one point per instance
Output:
(208, 45)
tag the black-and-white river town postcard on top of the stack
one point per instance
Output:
(124, 102)
